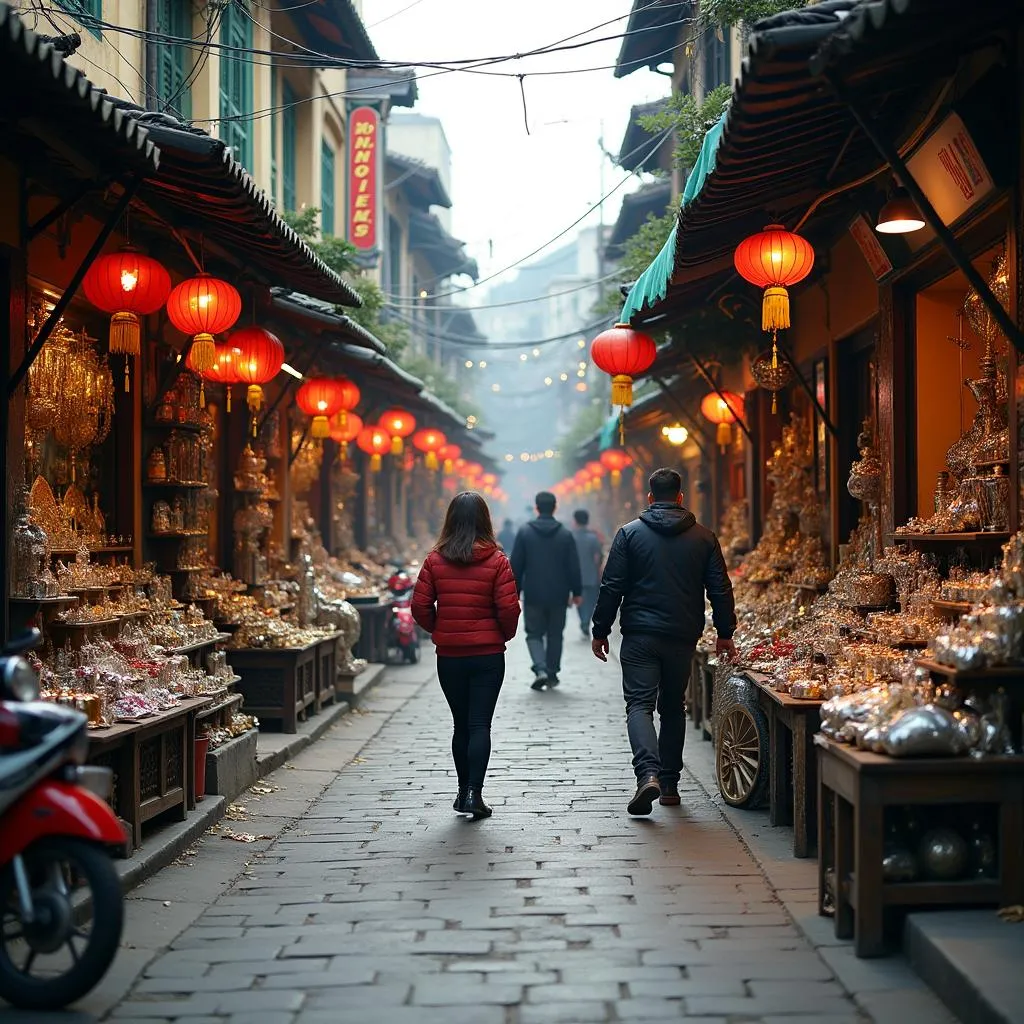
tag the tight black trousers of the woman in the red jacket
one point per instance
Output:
(472, 687)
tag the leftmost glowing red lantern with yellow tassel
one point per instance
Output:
(129, 285)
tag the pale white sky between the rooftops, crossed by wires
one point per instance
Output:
(511, 190)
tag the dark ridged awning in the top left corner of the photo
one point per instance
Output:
(52, 102)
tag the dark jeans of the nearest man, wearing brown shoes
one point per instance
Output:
(656, 670)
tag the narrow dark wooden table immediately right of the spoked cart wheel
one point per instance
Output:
(793, 769)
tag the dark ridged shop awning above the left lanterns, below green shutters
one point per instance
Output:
(202, 189)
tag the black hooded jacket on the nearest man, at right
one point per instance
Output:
(659, 570)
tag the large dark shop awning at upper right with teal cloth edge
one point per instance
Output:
(788, 142)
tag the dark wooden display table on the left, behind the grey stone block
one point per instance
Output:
(278, 682)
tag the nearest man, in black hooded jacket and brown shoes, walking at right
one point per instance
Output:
(659, 570)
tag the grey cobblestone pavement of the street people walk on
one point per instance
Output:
(375, 903)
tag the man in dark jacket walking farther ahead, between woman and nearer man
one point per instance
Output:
(547, 573)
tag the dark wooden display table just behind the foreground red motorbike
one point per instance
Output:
(154, 765)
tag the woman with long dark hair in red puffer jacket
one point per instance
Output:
(466, 600)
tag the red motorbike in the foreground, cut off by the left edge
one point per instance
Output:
(62, 912)
